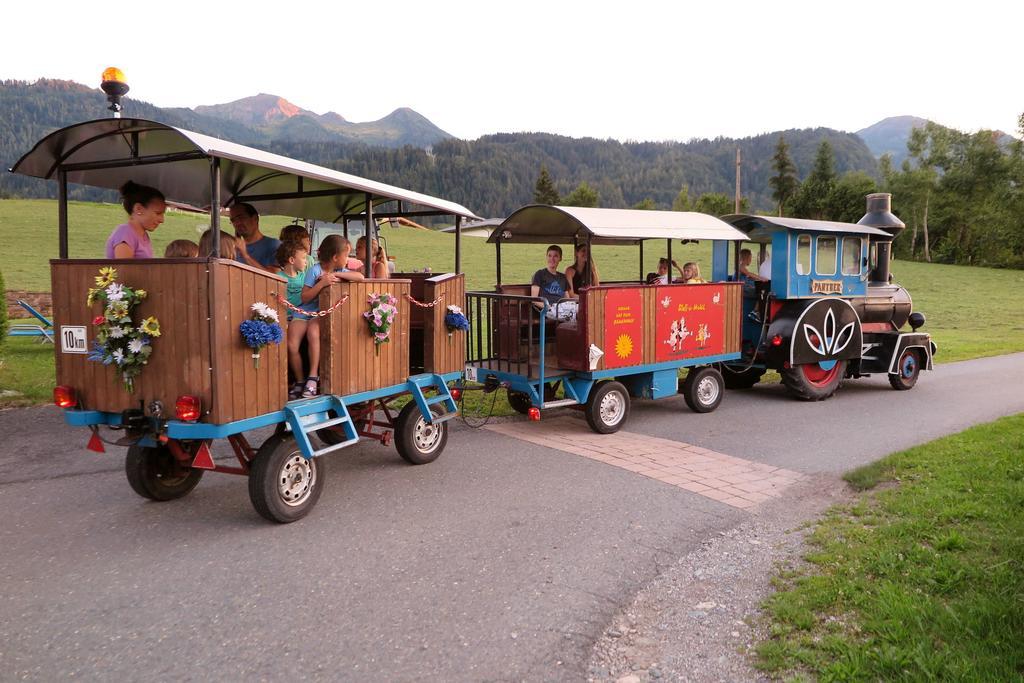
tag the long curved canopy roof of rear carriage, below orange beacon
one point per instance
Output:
(107, 153)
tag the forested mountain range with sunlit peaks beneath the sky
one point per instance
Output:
(492, 175)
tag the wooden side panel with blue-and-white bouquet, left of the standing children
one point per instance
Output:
(242, 391)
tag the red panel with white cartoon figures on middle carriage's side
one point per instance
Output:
(690, 322)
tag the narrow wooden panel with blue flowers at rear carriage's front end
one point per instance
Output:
(444, 353)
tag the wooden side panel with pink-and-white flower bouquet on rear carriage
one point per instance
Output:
(350, 362)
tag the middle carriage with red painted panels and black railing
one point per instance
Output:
(628, 339)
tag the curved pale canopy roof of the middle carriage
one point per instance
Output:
(542, 224)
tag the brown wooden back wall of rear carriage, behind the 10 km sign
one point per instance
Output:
(180, 364)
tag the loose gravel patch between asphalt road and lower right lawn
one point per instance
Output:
(699, 621)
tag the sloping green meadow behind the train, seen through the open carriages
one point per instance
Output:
(972, 313)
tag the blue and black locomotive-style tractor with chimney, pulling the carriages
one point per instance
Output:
(830, 311)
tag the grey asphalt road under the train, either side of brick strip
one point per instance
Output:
(502, 561)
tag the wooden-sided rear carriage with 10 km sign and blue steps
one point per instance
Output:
(202, 382)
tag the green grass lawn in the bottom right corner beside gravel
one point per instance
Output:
(921, 581)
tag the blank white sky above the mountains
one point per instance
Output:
(635, 70)
